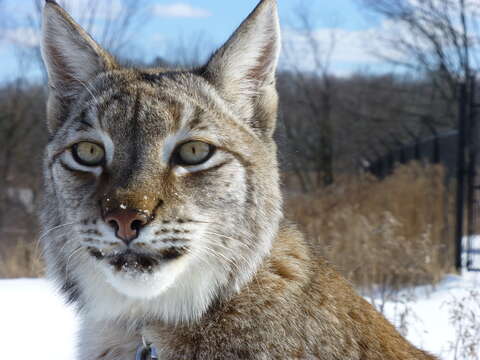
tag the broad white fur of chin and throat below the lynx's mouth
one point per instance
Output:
(180, 291)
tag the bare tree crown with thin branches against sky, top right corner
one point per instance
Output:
(440, 38)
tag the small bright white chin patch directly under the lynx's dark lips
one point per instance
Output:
(140, 285)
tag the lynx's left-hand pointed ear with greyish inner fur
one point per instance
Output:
(71, 57)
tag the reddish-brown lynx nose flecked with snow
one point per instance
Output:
(126, 223)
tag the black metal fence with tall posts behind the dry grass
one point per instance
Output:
(459, 151)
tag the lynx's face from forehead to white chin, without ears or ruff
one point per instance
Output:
(154, 197)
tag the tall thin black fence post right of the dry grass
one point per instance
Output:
(462, 123)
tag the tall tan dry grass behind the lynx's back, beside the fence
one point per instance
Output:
(383, 235)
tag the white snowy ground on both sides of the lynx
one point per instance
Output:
(34, 324)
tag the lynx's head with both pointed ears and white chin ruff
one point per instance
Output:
(161, 185)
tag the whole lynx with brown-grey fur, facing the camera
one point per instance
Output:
(164, 212)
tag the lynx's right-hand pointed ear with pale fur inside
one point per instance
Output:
(244, 68)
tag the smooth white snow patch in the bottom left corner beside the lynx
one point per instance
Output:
(34, 322)
